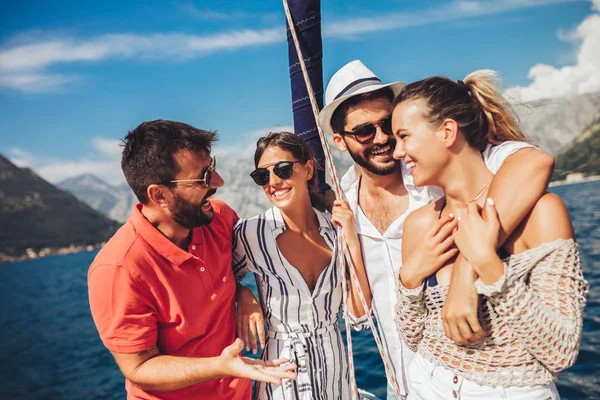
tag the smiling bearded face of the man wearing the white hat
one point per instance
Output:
(376, 156)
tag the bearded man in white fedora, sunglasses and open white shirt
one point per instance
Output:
(380, 191)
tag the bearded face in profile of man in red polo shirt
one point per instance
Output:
(190, 207)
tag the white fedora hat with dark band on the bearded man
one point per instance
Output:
(352, 79)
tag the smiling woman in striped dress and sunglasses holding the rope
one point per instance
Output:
(292, 250)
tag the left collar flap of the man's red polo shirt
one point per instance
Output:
(155, 239)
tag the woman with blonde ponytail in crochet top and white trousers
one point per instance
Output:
(533, 291)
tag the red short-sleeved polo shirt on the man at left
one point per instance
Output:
(144, 290)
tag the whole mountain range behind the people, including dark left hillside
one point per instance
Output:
(83, 211)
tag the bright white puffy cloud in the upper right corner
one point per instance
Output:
(582, 77)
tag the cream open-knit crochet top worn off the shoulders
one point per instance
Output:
(532, 317)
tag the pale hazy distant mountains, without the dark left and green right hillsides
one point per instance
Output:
(551, 124)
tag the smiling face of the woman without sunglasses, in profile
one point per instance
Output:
(418, 143)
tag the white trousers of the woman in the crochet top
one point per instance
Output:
(426, 381)
